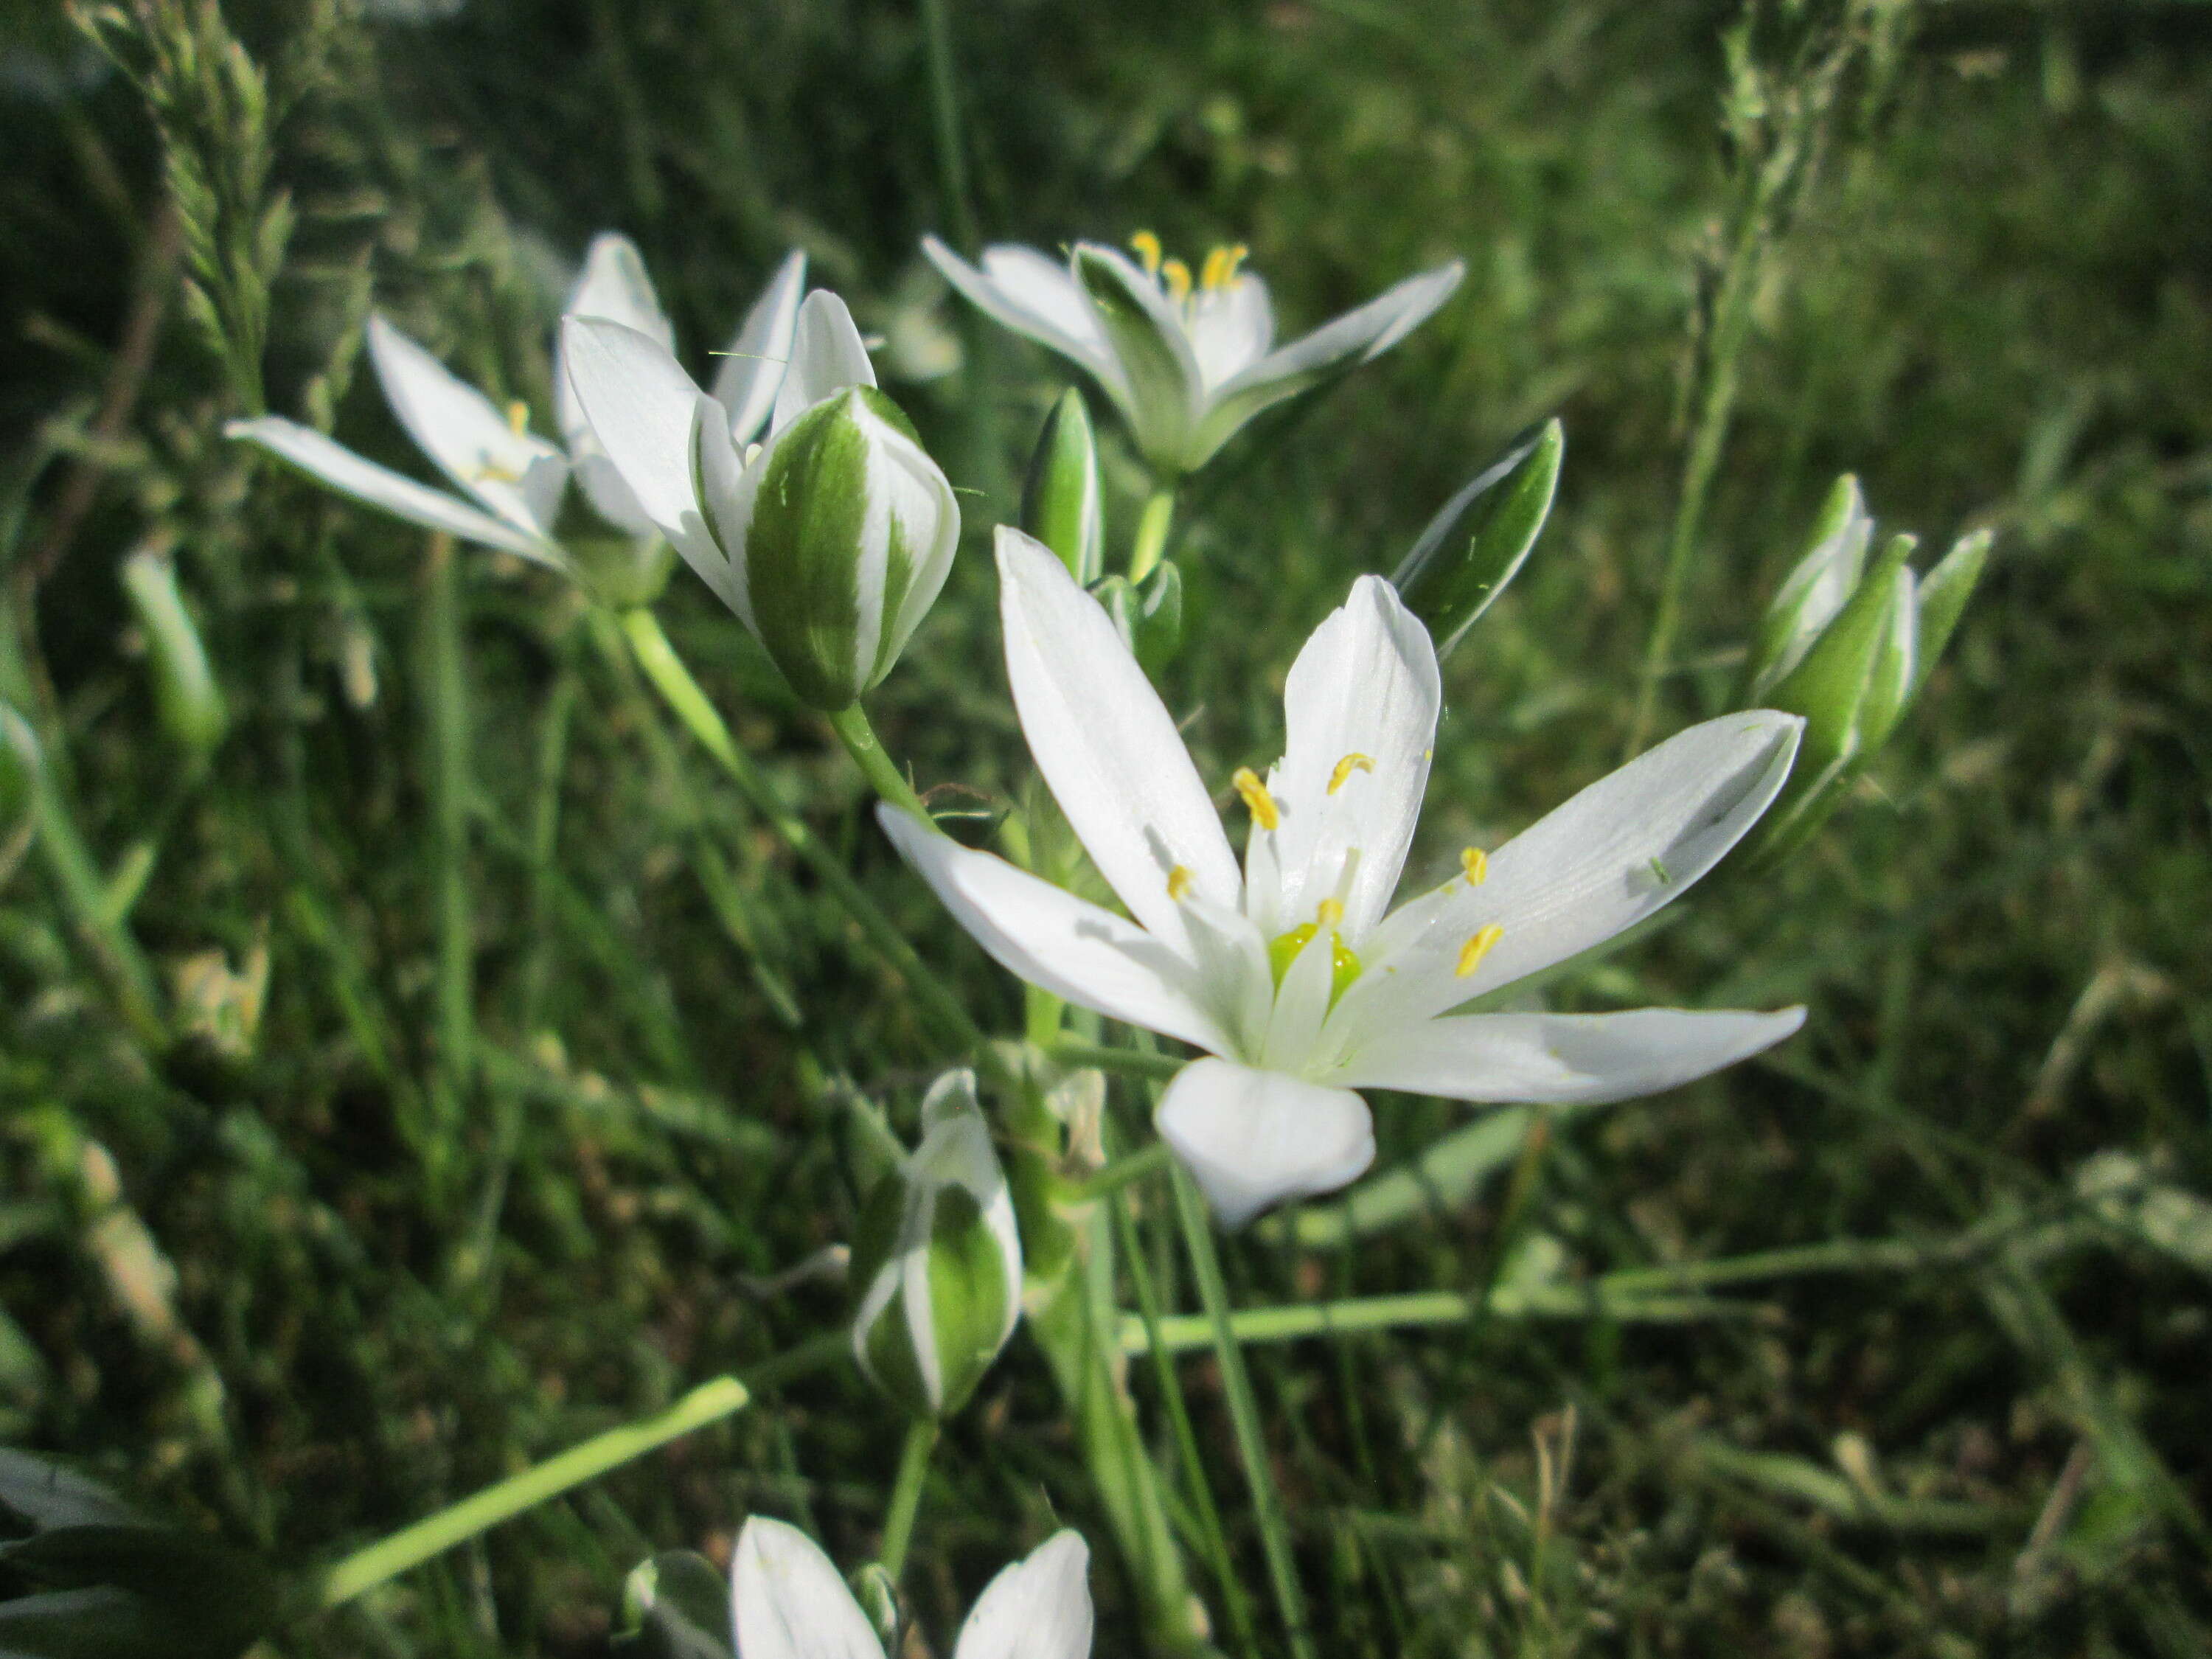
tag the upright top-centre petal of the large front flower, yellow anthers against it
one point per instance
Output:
(1361, 720)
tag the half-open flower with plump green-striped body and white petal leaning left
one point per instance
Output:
(831, 541)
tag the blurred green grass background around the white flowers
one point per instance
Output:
(1987, 291)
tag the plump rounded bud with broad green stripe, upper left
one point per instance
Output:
(844, 534)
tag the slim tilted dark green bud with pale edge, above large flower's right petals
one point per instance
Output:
(1481, 536)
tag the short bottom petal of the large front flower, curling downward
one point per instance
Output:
(1255, 1138)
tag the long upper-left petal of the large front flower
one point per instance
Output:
(1105, 744)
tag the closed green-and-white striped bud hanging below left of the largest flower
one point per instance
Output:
(939, 1262)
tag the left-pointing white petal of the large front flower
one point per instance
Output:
(1058, 941)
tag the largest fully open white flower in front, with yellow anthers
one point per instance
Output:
(1291, 974)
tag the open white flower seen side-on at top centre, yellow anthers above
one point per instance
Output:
(1187, 362)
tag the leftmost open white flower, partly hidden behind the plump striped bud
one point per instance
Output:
(508, 483)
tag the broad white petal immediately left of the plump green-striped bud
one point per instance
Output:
(643, 410)
